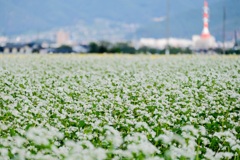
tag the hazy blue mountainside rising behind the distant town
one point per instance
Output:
(30, 16)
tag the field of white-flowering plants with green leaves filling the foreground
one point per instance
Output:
(119, 107)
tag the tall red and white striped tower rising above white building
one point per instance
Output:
(205, 32)
